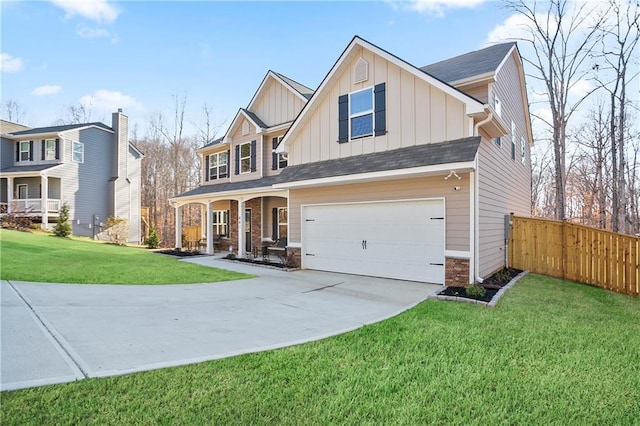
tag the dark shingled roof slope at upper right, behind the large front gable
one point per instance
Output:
(472, 64)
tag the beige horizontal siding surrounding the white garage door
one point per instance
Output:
(456, 202)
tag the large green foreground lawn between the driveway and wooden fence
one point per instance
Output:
(551, 352)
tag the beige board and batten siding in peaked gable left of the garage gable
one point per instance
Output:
(277, 104)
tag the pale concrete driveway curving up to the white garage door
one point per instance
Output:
(54, 333)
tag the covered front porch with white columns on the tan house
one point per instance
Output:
(250, 225)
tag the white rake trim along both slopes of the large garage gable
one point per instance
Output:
(473, 106)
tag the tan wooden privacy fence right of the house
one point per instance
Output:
(576, 252)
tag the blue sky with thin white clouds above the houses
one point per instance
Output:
(138, 55)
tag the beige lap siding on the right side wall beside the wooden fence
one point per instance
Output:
(504, 183)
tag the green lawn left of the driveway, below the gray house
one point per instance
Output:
(44, 258)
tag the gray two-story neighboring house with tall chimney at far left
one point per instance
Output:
(91, 167)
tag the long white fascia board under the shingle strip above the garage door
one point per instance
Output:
(376, 176)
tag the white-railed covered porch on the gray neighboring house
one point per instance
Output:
(32, 194)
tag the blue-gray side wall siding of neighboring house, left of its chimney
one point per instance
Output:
(95, 194)
